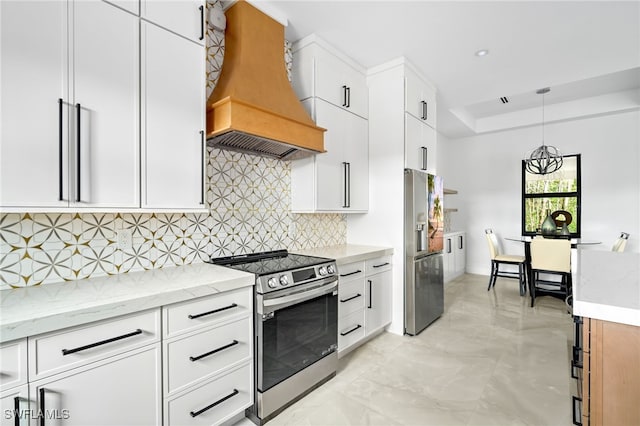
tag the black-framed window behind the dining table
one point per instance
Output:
(557, 192)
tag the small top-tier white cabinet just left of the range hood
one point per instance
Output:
(184, 17)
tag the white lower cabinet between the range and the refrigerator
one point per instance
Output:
(364, 301)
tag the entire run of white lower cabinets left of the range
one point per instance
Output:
(190, 363)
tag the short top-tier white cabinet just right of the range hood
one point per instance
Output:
(319, 71)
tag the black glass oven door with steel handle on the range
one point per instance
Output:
(295, 328)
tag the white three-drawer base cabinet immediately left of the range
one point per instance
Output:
(208, 358)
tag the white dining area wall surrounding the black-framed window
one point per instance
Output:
(486, 171)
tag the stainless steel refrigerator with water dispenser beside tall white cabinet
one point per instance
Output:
(424, 241)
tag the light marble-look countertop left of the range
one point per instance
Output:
(33, 310)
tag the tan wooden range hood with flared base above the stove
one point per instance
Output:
(253, 108)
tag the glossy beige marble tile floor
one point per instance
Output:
(490, 359)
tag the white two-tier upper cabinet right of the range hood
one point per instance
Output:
(335, 93)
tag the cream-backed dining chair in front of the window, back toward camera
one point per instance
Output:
(550, 256)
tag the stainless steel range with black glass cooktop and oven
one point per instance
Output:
(296, 326)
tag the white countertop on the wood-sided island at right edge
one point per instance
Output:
(608, 286)
